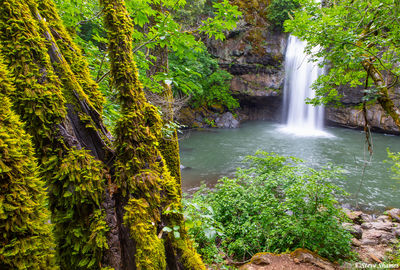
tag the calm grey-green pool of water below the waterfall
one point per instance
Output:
(211, 154)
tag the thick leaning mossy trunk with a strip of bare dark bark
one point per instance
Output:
(60, 107)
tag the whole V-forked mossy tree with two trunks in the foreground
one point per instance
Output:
(109, 201)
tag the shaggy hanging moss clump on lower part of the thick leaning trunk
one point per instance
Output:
(75, 190)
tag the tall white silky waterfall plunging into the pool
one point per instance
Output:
(301, 119)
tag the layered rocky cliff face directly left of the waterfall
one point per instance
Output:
(254, 56)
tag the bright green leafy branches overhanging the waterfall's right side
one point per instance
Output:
(347, 34)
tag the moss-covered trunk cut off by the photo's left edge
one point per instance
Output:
(26, 241)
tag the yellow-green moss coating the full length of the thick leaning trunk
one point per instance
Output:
(43, 87)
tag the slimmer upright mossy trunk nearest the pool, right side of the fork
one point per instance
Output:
(151, 194)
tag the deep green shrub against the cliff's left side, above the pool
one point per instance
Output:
(202, 79)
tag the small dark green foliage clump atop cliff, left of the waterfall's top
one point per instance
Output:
(279, 11)
